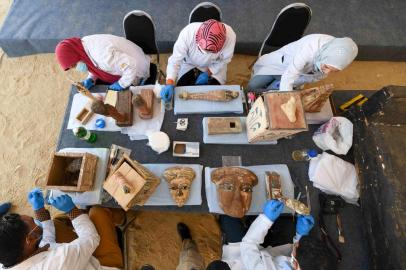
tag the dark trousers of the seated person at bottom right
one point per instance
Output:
(234, 230)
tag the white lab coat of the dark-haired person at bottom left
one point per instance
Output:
(68, 256)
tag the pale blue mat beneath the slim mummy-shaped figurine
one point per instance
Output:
(203, 106)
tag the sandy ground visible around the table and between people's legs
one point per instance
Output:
(33, 97)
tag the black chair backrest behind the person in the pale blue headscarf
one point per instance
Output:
(289, 26)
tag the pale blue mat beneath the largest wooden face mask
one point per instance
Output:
(259, 191)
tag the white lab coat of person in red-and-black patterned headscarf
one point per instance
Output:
(187, 56)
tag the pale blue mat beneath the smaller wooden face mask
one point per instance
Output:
(162, 196)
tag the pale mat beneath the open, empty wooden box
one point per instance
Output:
(94, 196)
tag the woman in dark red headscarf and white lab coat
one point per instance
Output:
(111, 59)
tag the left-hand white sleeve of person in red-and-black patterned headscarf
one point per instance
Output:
(180, 51)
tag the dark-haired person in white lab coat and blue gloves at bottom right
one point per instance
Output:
(249, 255)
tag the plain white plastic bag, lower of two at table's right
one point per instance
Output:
(333, 175)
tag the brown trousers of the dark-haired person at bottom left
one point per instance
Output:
(108, 252)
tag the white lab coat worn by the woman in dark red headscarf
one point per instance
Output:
(117, 56)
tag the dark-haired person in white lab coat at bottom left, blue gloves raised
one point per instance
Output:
(26, 245)
